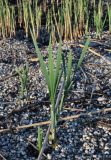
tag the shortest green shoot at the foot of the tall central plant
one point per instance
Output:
(39, 139)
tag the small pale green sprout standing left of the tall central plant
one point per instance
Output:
(23, 76)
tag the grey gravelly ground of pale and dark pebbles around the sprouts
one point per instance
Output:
(87, 137)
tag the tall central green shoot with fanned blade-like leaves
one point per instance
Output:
(52, 76)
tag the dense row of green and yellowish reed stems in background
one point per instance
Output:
(68, 19)
